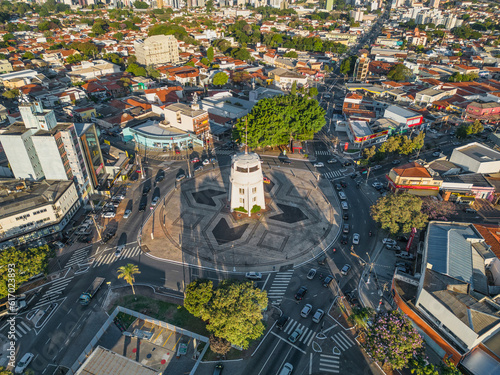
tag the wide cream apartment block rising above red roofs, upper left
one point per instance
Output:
(158, 49)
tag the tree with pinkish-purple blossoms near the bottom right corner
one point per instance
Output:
(392, 340)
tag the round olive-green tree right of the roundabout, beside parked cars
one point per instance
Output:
(399, 213)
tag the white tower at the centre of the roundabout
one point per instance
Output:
(247, 183)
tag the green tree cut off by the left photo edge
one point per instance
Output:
(27, 263)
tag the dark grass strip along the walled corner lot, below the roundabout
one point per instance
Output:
(165, 311)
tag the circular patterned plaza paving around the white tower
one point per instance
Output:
(194, 225)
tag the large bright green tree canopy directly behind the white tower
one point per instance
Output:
(274, 121)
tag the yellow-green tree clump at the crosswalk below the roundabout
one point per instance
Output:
(233, 311)
